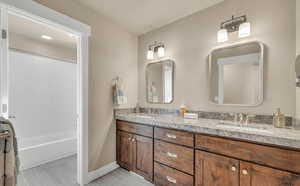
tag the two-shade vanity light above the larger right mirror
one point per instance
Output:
(239, 24)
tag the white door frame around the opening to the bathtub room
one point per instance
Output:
(43, 14)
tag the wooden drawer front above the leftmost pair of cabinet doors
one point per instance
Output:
(135, 128)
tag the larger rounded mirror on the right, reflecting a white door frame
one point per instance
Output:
(236, 74)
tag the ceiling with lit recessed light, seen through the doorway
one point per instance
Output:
(32, 30)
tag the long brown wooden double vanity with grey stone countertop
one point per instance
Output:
(168, 150)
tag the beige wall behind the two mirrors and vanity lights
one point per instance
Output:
(189, 41)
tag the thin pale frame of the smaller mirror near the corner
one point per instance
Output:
(146, 76)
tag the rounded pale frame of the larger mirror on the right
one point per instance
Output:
(261, 73)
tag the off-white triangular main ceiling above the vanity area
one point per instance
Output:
(142, 16)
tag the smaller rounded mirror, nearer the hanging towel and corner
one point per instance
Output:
(160, 82)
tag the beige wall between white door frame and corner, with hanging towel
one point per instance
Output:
(113, 52)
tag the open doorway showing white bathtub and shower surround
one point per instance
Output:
(42, 90)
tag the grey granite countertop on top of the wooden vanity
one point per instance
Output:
(261, 133)
